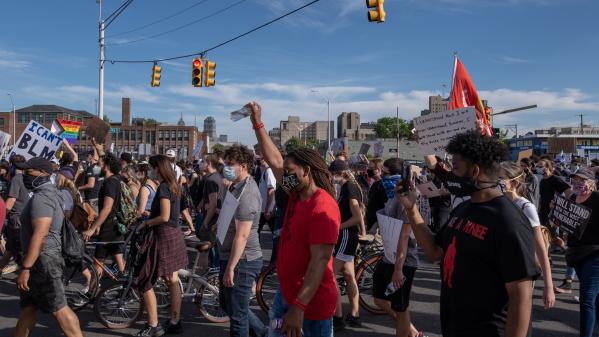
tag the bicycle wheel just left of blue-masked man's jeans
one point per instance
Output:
(207, 299)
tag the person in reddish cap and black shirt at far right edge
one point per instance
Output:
(583, 250)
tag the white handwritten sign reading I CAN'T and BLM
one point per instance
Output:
(36, 141)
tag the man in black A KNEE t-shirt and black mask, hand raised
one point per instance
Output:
(486, 248)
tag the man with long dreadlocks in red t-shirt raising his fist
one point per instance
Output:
(307, 296)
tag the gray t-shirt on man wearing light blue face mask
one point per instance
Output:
(248, 210)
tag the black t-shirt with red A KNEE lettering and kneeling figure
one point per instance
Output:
(485, 245)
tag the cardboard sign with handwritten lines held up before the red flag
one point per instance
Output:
(436, 130)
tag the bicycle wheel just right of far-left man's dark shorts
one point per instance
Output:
(80, 285)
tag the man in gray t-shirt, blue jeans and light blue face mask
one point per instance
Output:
(240, 252)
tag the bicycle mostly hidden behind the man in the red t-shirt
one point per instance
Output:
(369, 253)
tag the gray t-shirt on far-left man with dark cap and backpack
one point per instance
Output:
(45, 203)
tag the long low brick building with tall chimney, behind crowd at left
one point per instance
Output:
(125, 136)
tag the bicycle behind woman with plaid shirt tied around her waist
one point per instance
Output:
(120, 304)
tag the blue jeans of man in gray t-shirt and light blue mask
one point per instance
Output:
(235, 301)
